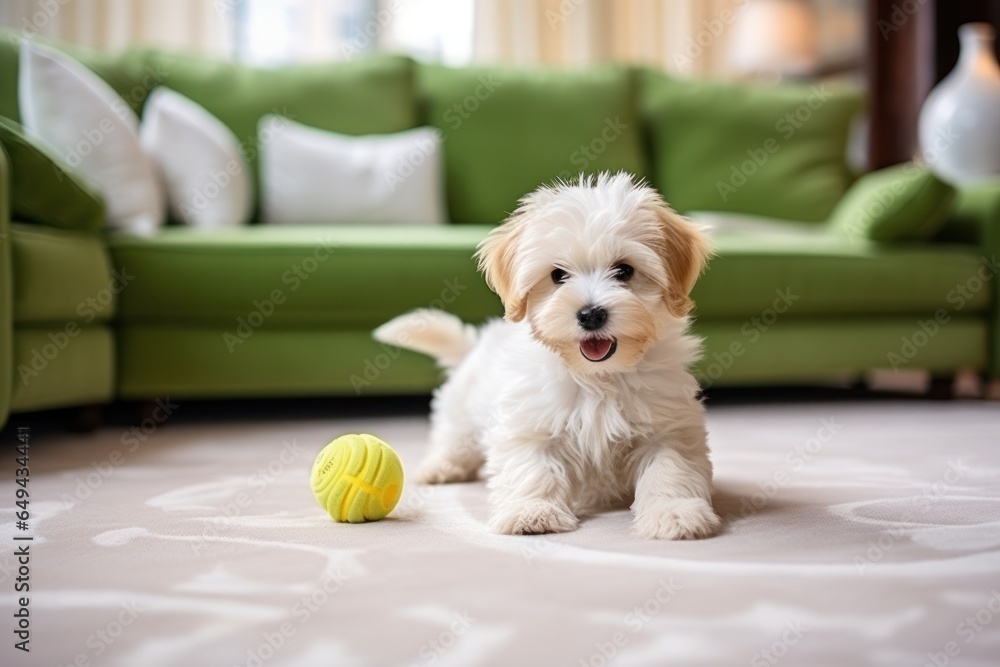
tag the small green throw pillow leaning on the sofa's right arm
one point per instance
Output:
(906, 202)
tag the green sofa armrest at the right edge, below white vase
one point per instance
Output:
(979, 205)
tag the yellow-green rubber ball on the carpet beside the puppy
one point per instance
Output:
(357, 478)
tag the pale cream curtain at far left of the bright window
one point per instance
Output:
(197, 26)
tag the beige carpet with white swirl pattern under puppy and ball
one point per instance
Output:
(856, 534)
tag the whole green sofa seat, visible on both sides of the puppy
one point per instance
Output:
(350, 278)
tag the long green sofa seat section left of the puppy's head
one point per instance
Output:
(272, 277)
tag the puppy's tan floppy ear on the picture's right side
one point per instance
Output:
(685, 251)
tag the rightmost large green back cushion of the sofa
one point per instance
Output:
(771, 151)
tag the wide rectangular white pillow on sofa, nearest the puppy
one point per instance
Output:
(311, 176)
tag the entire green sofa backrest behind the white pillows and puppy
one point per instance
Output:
(706, 146)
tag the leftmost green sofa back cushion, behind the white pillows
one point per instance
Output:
(373, 95)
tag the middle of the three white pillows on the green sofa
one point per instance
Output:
(200, 162)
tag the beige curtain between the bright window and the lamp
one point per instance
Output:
(684, 36)
